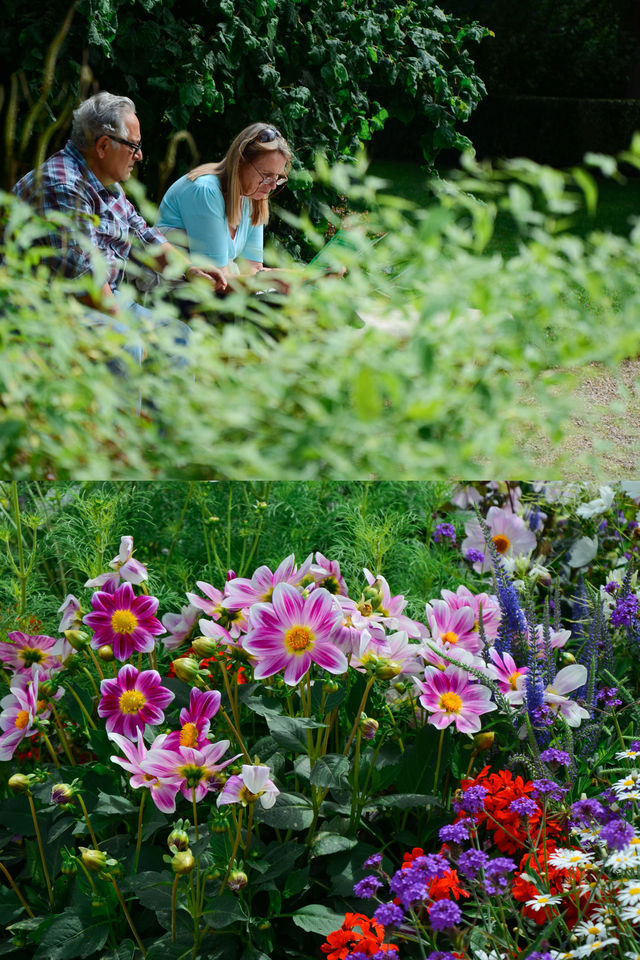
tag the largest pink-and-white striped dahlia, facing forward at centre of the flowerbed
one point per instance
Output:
(292, 632)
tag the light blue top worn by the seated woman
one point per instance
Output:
(197, 208)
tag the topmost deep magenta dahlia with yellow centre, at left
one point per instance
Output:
(124, 621)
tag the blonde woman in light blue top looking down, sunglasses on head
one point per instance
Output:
(222, 207)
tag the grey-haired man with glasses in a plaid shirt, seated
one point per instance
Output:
(83, 179)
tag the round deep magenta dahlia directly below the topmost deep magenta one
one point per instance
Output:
(133, 699)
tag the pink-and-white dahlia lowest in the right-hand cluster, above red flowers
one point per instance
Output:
(450, 697)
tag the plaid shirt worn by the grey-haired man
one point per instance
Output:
(103, 214)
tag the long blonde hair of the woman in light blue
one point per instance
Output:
(245, 147)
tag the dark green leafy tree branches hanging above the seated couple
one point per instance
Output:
(328, 74)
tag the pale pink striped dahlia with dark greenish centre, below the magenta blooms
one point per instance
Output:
(184, 769)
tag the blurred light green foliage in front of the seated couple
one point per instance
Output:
(433, 355)
